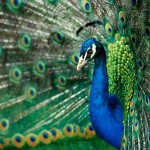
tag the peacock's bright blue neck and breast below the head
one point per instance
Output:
(105, 110)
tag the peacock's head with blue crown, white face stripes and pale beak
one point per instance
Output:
(89, 49)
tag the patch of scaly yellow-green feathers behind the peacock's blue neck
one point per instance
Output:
(121, 73)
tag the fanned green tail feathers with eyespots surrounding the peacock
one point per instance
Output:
(44, 100)
